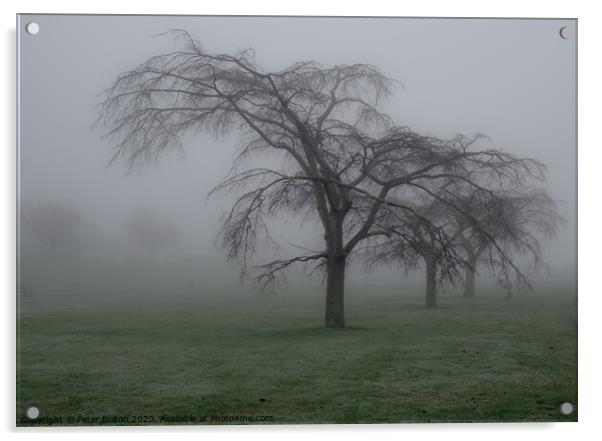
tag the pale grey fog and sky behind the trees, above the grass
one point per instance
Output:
(513, 80)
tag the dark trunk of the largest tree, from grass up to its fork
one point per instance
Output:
(335, 276)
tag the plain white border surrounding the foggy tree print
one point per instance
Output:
(590, 301)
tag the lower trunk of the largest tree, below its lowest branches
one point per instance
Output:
(335, 292)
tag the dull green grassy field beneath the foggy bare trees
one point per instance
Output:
(269, 360)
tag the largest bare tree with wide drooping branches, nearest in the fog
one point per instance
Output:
(329, 151)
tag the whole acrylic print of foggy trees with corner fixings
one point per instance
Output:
(281, 220)
